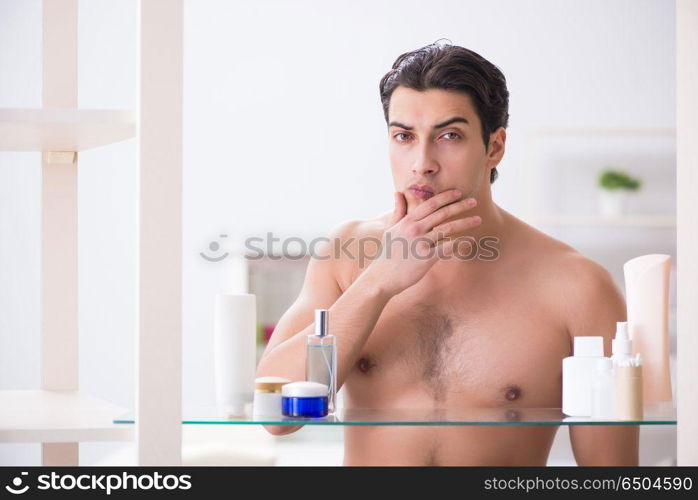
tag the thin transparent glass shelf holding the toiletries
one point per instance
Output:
(662, 414)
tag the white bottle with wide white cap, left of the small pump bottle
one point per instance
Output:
(577, 373)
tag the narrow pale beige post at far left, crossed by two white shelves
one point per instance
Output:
(59, 236)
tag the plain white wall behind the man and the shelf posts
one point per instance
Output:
(284, 132)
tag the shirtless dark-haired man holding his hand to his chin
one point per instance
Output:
(432, 328)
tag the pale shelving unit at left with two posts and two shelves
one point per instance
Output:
(59, 131)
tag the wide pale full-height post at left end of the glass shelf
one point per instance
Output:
(159, 344)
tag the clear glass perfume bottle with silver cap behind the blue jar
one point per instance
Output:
(321, 362)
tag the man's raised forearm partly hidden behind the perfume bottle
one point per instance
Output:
(352, 319)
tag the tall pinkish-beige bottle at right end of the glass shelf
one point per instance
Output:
(647, 298)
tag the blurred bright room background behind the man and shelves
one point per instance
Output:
(284, 133)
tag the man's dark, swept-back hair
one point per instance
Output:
(450, 67)
